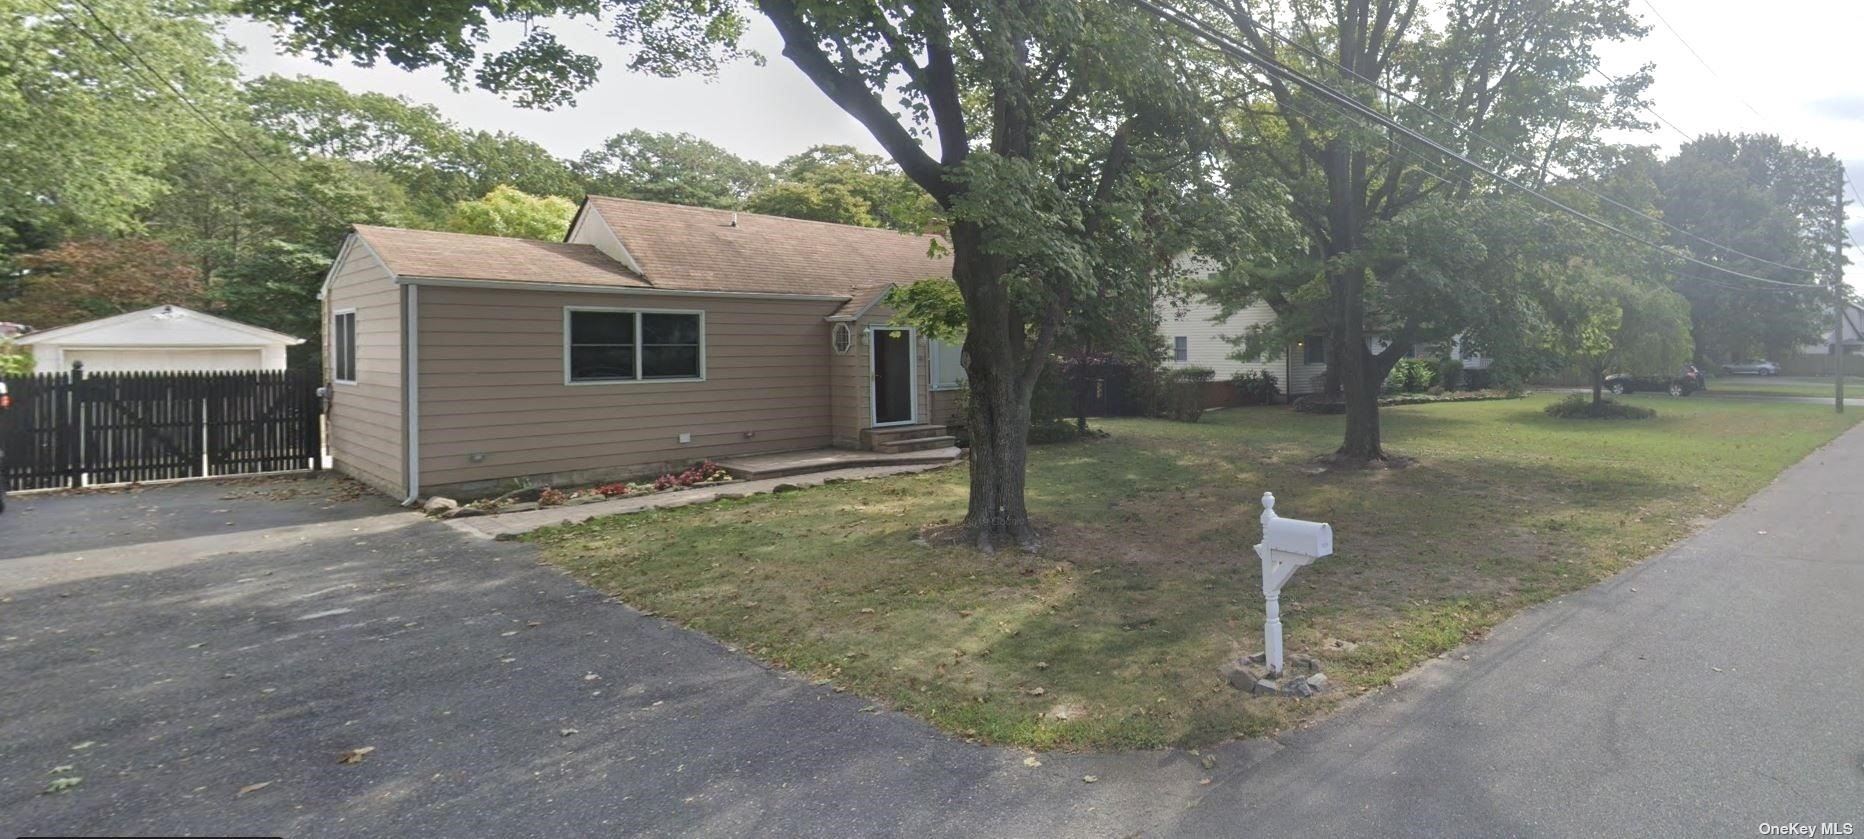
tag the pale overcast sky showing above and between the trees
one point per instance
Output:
(1785, 66)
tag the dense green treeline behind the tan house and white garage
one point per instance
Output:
(120, 195)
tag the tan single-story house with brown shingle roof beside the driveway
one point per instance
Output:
(653, 337)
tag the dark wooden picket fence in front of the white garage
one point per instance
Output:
(79, 430)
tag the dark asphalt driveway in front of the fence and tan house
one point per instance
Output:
(171, 665)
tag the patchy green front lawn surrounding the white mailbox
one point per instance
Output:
(1114, 635)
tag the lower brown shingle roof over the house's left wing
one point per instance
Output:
(467, 256)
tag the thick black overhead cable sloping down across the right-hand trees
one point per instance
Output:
(1274, 68)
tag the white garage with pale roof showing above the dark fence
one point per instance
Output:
(163, 338)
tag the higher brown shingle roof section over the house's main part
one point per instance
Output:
(700, 249)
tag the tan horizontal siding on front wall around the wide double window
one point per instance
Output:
(493, 389)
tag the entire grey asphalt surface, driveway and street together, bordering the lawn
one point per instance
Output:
(1705, 693)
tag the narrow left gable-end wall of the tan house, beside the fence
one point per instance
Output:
(366, 428)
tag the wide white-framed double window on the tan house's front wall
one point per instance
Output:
(633, 346)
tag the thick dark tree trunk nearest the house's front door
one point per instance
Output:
(1002, 378)
